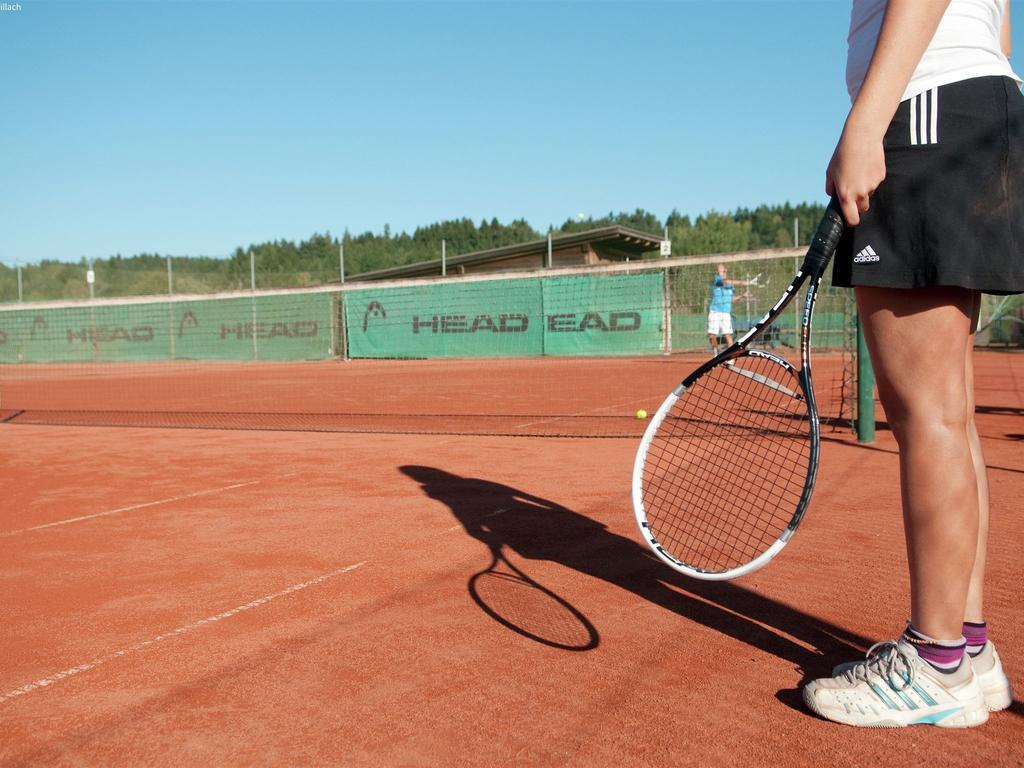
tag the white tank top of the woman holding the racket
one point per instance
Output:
(966, 46)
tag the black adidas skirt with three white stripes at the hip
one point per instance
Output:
(951, 210)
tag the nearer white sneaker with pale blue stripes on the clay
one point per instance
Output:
(893, 688)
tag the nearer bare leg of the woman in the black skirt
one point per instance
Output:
(920, 342)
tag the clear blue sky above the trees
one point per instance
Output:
(194, 127)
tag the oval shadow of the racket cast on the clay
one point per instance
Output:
(529, 609)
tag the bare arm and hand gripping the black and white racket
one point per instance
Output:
(859, 164)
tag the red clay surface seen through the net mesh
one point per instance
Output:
(575, 397)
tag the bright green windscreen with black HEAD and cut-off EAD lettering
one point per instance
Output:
(566, 316)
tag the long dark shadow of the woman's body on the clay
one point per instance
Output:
(538, 529)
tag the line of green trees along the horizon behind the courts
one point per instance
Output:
(284, 264)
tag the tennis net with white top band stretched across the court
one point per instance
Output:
(573, 352)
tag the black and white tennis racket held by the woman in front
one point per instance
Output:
(727, 466)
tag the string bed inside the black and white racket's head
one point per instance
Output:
(726, 473)
